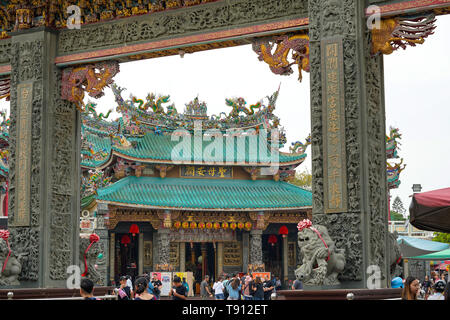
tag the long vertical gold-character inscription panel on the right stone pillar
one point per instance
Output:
(335, 182)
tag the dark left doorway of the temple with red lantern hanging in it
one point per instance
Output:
(126, 255)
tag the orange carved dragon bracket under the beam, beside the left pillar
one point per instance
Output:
(90, 78)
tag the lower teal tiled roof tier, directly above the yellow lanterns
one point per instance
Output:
(205, 194)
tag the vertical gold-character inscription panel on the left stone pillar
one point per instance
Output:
(24, 92)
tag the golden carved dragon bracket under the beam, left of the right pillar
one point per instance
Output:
(278, 60)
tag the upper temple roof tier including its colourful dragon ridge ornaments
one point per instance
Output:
(148, 133)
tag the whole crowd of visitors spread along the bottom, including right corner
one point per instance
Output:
(249, 287)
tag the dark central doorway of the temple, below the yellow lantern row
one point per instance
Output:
(201, 261)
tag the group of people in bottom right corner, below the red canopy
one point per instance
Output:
(436, 287)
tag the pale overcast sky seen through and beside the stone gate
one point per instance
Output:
(417, 85)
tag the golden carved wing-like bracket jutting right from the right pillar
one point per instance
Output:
(400, 32)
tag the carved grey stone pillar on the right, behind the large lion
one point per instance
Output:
(348, 136)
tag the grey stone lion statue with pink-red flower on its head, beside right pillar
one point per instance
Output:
(322, 261)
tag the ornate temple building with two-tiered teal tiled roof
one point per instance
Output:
(170, 191)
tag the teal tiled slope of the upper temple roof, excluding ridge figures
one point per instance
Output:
(154, 148)
